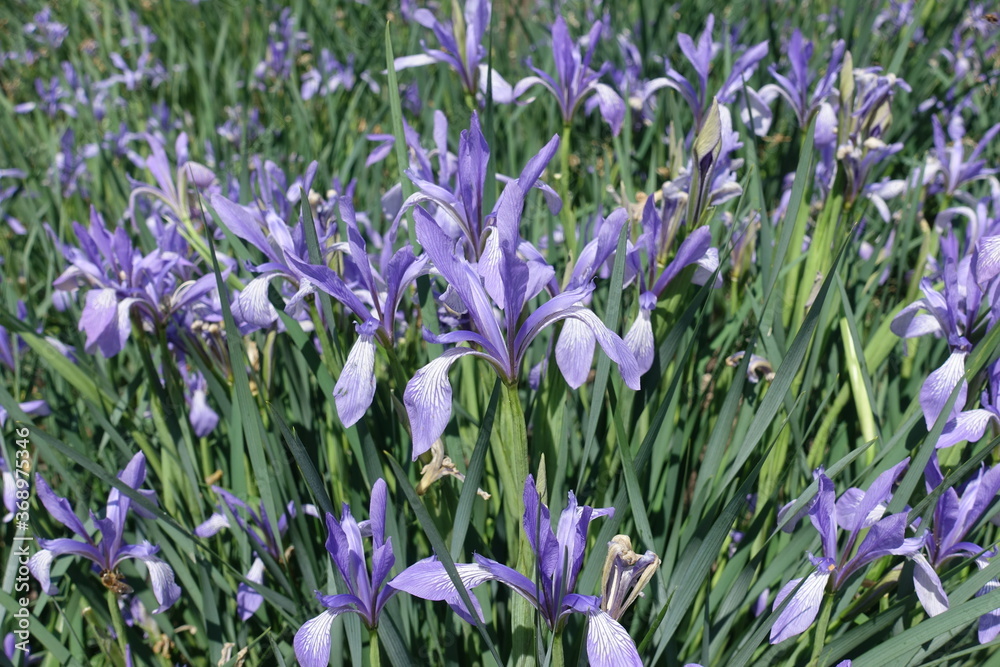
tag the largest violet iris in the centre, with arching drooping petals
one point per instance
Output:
(509, 282)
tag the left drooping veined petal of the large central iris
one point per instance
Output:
(428, 399)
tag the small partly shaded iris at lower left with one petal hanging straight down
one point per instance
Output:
(257, 526)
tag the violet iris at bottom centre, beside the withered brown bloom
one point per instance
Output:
(559, 558)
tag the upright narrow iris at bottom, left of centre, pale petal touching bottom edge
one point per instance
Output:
(367, 591)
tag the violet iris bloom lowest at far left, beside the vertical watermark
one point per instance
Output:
(111, 550)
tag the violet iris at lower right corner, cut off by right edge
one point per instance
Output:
(956, 513)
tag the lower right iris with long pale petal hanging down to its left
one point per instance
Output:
(855, 511)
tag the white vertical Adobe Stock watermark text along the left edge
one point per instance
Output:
(20, 469)
